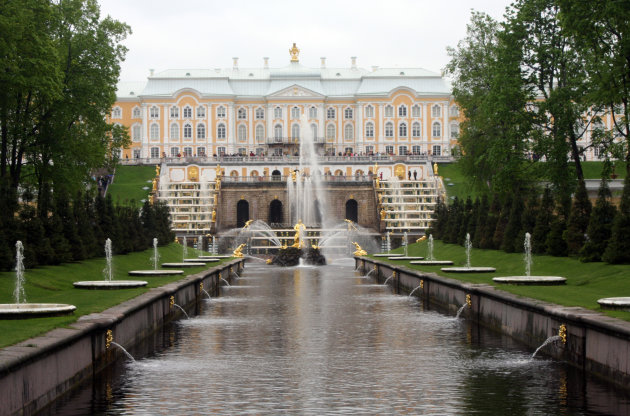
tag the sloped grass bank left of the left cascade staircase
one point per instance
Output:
(128, 184)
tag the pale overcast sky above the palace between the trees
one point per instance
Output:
(170, 34)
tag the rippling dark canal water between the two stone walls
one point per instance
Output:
(326, 340)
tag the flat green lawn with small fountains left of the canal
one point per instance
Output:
(53, 284)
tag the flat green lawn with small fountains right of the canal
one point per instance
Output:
(586, 282)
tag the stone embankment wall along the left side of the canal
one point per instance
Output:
(35, 372)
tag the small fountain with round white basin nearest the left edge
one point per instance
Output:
(20, 309)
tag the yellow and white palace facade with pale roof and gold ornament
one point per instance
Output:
(256, 111)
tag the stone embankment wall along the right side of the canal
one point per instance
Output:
(596, 343)
